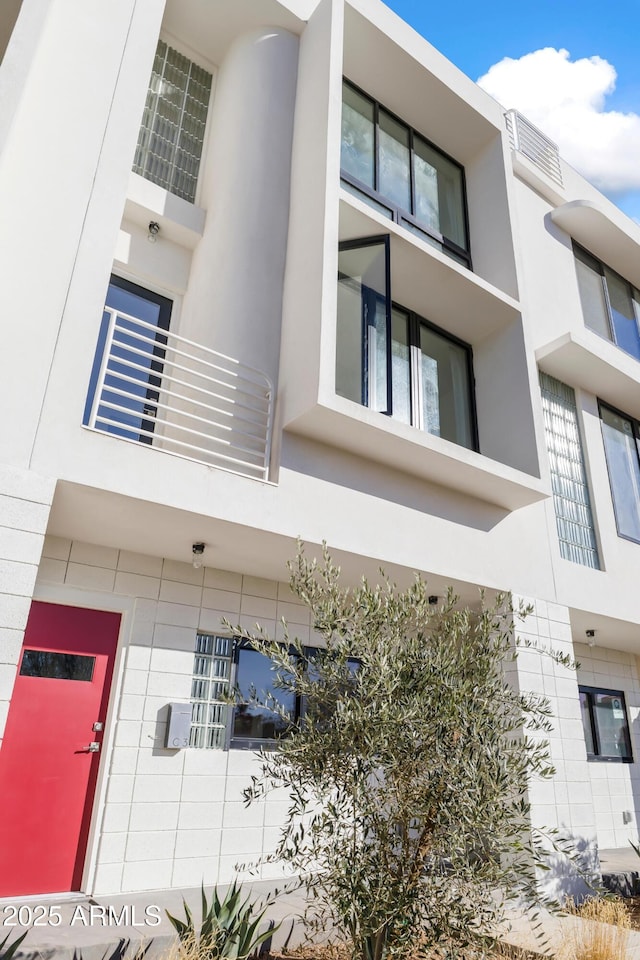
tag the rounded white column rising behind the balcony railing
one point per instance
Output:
(234, 300)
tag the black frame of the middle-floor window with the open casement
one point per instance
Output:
(416, 320)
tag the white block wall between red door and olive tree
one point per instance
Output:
(171, 818)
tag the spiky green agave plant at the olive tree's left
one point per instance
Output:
(230, 927)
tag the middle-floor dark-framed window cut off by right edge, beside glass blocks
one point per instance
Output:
(621, 437)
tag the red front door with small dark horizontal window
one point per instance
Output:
(50, 754)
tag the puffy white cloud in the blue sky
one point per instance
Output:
(566, 99)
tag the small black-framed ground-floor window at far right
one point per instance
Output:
(606, 729)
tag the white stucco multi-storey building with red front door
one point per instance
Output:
(307, 280)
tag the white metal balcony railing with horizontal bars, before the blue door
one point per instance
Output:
(154, 387)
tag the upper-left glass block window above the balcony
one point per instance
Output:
(175, 115)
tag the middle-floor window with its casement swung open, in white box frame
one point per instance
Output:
(394, 361)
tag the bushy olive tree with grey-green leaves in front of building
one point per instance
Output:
(408, 773)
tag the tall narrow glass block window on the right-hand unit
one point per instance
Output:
(574, 520)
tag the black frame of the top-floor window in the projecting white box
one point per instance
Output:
(399, 214)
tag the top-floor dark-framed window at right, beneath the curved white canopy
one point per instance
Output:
(611, 306)
